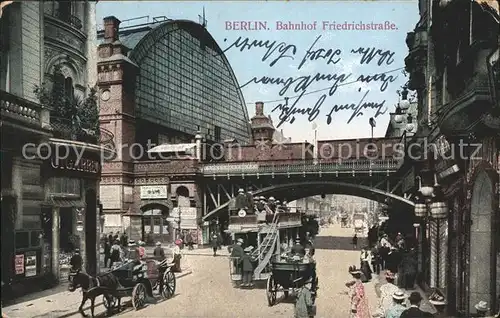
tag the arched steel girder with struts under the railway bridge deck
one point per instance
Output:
(295, 190)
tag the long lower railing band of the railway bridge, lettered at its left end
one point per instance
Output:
(301, 166)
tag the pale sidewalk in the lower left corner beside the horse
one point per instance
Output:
(58, 302)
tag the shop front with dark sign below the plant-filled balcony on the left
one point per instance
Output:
(70, 211)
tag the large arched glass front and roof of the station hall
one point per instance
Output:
(185, 82)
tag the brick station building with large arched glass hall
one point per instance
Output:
(164, 86)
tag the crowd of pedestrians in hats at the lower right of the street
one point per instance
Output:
(399, 260)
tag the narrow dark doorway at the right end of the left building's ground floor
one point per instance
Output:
(91, 231)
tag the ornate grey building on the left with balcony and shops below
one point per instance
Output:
(50, 152)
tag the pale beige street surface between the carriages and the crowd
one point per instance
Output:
(208, 291)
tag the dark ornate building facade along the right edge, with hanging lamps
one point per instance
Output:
(455, 169)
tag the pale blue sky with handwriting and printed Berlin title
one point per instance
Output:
(340, 62)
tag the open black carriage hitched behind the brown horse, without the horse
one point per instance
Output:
(139, 280)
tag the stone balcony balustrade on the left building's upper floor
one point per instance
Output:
(22, 109)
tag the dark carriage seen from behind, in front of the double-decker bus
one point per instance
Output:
(290, 275)
